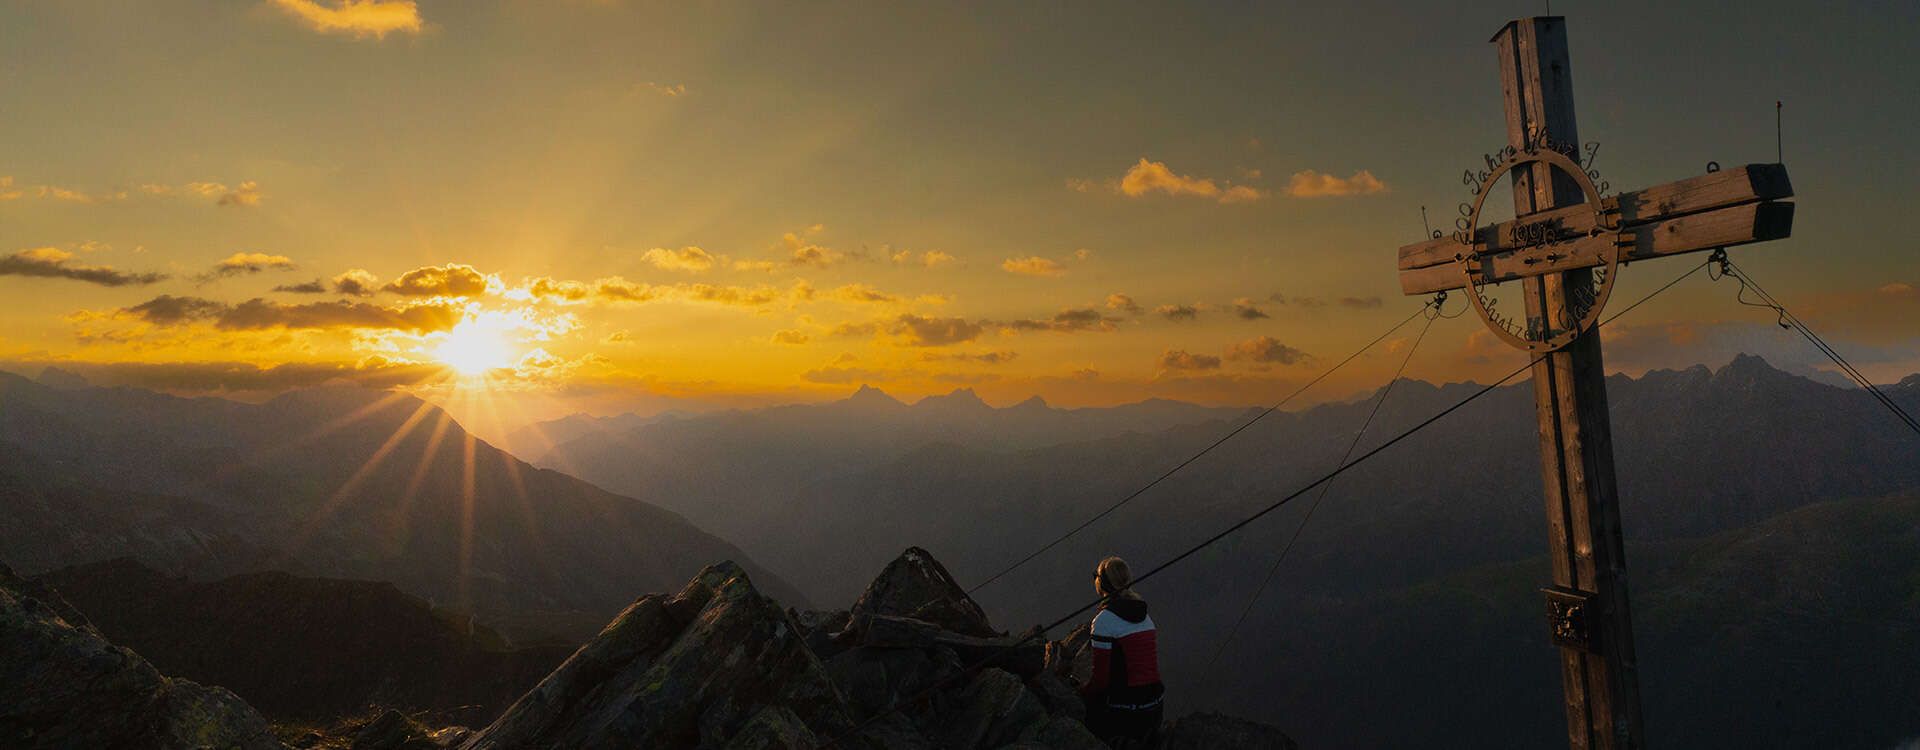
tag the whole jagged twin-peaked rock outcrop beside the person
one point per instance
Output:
(913, 665)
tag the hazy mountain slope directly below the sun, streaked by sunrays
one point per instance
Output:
(348, 484)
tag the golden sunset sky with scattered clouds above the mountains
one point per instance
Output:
(604, 204)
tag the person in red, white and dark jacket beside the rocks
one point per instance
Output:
(1124, 693)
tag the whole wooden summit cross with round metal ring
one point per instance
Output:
(1566, 246)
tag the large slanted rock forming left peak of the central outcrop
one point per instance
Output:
(688, 672)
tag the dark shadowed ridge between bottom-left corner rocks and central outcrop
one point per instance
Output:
(304, 647)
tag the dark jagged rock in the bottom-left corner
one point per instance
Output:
(62, 686)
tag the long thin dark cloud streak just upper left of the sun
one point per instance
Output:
(264, 314)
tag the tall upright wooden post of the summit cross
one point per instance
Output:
(1602, 682)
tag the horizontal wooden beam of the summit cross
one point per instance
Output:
(1716, 210)
